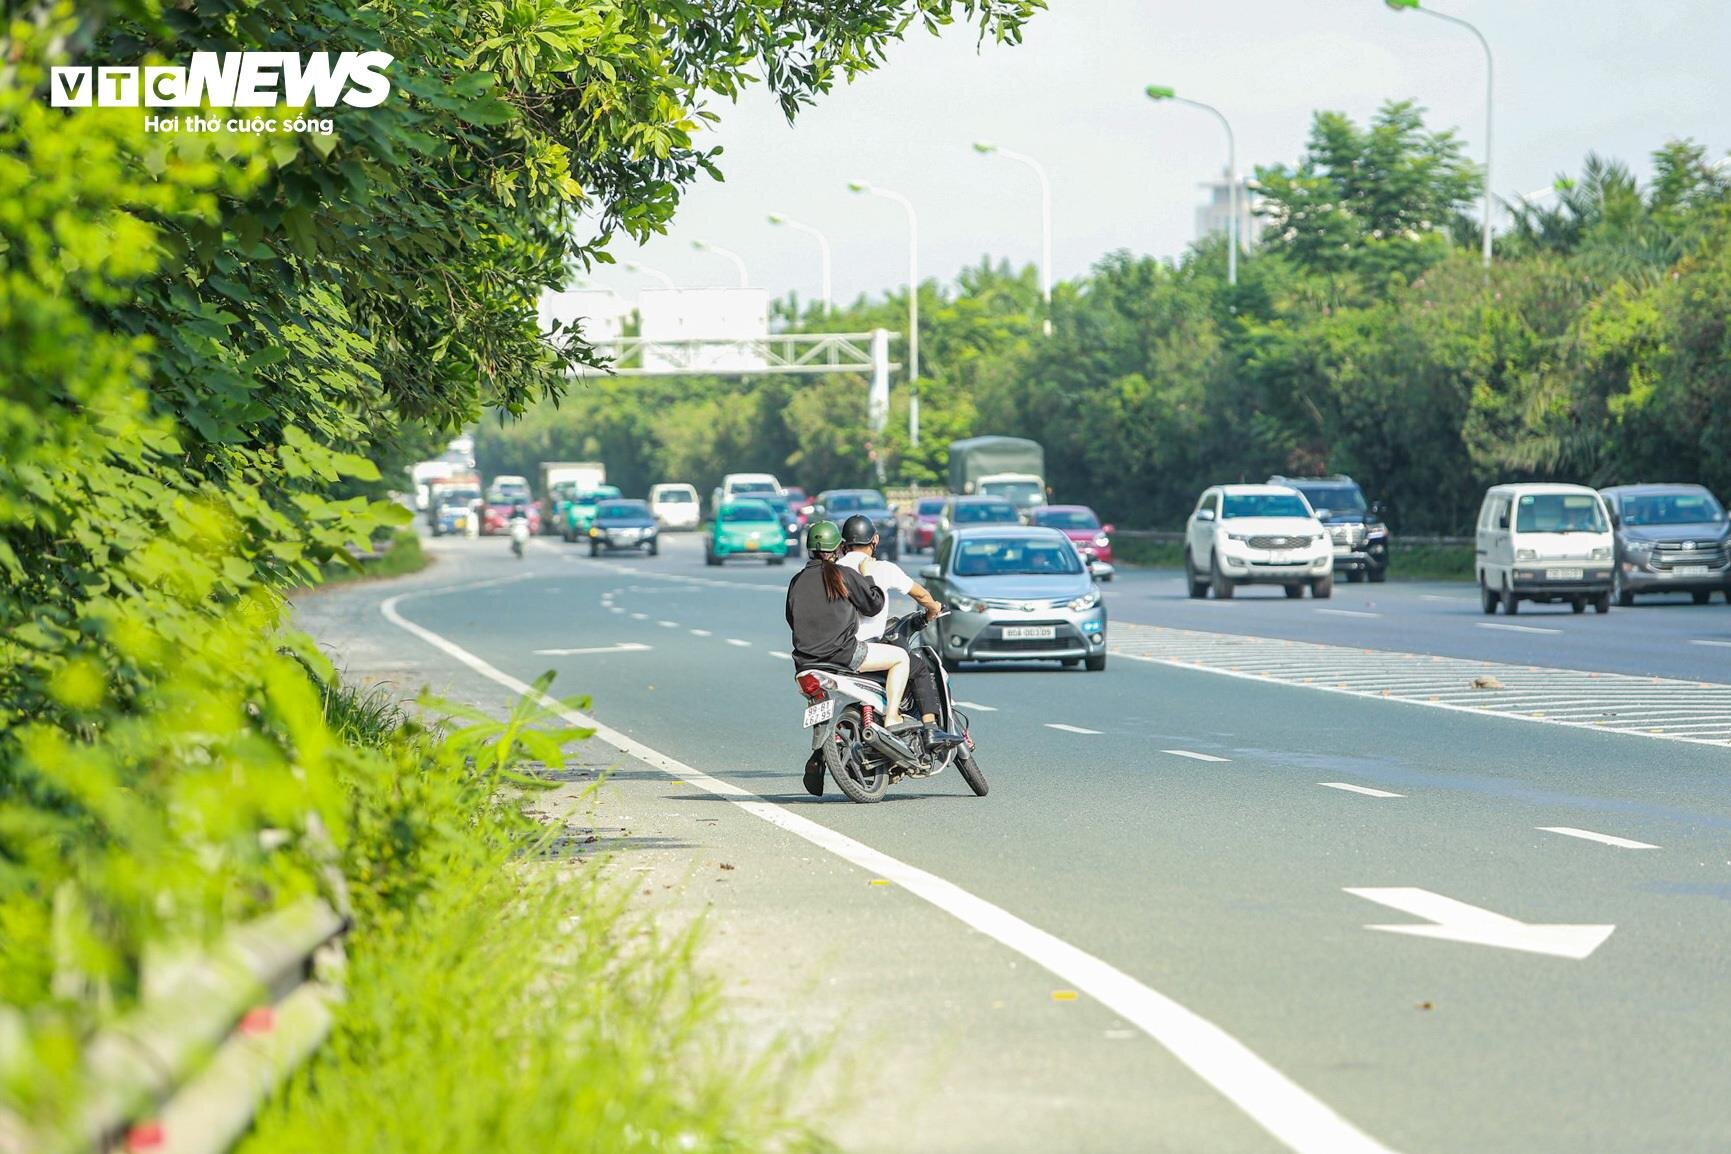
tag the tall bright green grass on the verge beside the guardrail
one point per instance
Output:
(505, 999)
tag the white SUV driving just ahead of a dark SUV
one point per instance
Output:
(1258, 535)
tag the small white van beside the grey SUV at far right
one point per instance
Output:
(1545, 542)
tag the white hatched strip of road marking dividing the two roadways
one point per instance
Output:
(1607, 703)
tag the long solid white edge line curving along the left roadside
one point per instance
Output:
(1264, 1094)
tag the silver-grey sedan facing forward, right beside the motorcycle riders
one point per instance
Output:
(1017, 594)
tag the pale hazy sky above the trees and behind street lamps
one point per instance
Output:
(1612, 77)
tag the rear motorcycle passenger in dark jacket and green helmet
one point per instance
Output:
(825, 608)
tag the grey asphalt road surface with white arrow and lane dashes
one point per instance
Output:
(1230, 849)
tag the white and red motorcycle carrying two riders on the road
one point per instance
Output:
(846, 715)
